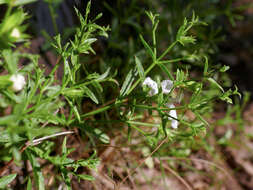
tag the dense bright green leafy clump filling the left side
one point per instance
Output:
(35, 108)
